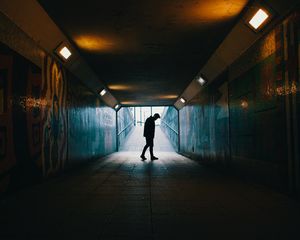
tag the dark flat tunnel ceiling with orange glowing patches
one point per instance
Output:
(146, 52)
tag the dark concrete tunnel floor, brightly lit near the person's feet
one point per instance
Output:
(121, 197)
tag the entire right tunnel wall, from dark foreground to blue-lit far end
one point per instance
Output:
(246, 119)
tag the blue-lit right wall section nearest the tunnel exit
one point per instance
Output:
(204, 125)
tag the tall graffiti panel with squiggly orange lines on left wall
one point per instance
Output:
(54, 117)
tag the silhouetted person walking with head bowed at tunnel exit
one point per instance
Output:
(149, 130)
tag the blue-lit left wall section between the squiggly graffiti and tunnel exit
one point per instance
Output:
(93, 124)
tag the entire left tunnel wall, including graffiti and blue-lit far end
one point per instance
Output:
(49, 121)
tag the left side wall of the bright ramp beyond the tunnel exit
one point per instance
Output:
(125, 124)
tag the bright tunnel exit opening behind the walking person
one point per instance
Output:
(131, 122)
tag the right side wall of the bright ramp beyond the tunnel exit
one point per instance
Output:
(169, 125)
